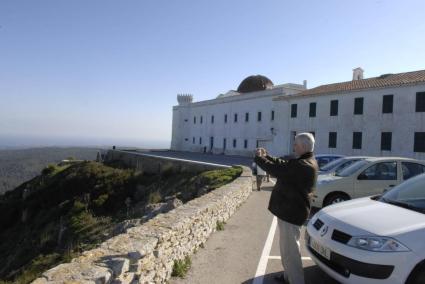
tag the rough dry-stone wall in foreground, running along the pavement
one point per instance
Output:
(146, 254)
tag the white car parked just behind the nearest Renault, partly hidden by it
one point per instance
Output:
(370, 176)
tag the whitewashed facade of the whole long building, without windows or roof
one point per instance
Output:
(276, 135)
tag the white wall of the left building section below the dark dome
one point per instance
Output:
(252, 131)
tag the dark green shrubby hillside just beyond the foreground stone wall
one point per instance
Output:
(66, 210)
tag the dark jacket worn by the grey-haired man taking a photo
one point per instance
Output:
(296, 179)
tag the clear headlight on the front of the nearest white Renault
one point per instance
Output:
(381, 244)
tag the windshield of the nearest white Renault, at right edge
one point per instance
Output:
(409, 194)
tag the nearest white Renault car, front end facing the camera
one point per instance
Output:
(373, 239)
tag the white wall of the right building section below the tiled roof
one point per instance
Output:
(403, 122)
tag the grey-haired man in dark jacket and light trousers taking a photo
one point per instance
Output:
(290, 200)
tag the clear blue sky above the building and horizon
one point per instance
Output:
(100, 72)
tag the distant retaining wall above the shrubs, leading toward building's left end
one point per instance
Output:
(145, 162)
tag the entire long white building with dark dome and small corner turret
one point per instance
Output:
(380, 116)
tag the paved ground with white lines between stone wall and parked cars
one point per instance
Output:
(240, 253)
